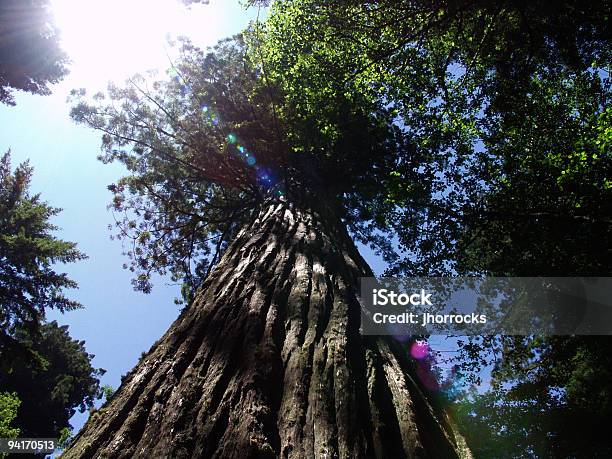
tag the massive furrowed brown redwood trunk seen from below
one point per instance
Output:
(268, 361)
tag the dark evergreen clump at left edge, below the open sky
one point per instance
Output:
(45, 375)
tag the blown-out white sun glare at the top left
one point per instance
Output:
(113, 39)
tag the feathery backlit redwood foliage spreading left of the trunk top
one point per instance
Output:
(188, 189)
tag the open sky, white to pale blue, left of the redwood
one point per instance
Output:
(111, 40)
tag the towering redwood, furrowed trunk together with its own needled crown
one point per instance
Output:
(267, 359)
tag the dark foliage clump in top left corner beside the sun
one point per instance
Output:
(30, 55)
